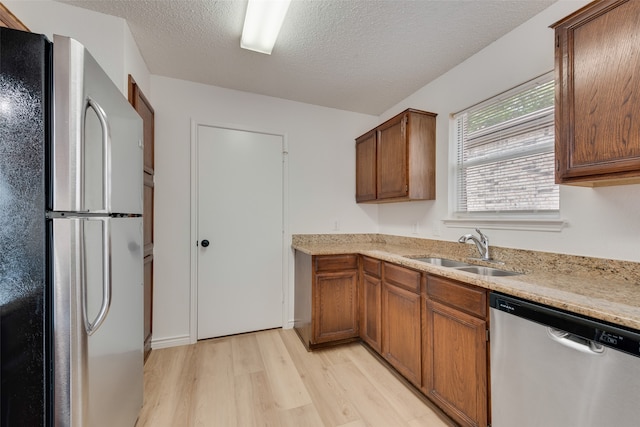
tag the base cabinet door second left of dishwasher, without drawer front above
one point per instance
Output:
(401, 339)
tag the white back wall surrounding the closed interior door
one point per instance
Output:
(321, 179)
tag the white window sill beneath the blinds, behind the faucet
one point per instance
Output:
(521, 224)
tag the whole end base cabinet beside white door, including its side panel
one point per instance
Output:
(326, 308)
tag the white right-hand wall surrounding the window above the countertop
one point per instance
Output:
(602, 222)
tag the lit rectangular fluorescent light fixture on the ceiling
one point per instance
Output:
(262, 24)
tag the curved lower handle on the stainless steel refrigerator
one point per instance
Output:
(92, 327)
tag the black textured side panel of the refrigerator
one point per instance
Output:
(24, 314)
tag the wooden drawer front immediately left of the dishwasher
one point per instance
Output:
(471, 299)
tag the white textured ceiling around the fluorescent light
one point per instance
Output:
(357, 55)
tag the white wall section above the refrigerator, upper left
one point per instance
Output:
(108, 38)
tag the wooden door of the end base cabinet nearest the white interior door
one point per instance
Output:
(335, 314)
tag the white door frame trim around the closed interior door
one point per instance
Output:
(195, 124)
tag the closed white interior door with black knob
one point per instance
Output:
(240, 214)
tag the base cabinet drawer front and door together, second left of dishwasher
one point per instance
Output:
(401, 317)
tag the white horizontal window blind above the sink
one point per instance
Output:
(505, 152)
